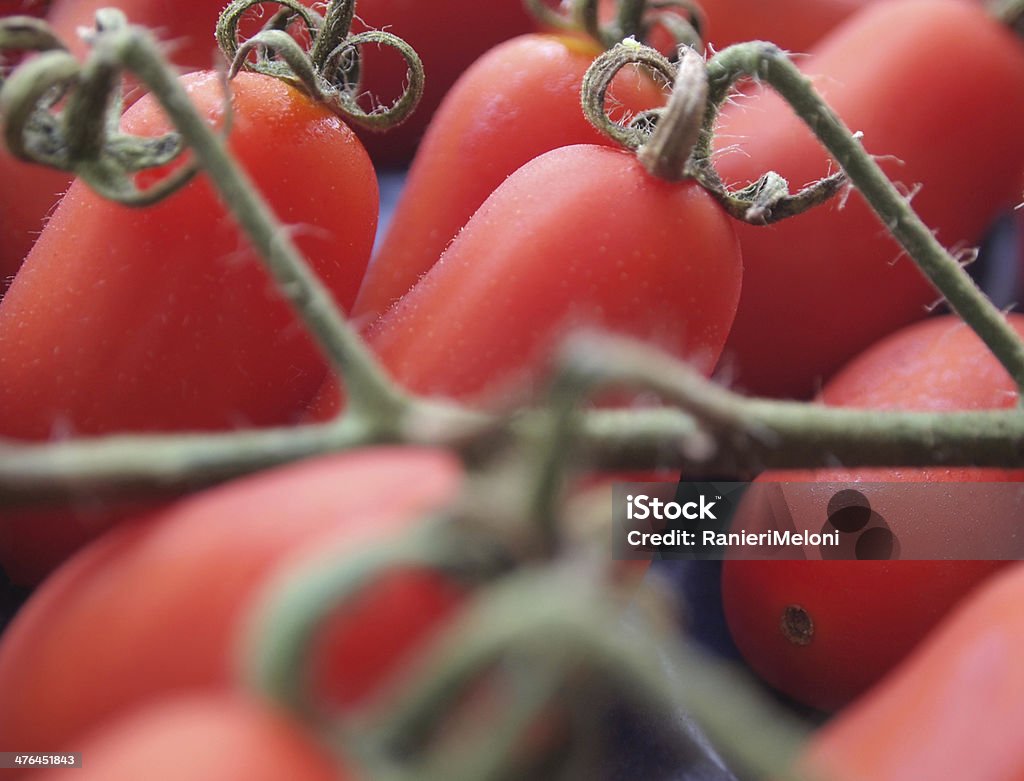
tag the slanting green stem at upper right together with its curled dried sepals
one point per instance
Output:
(770, 199)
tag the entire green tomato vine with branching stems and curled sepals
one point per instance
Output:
(706, 428)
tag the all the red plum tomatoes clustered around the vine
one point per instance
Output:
(518, 223)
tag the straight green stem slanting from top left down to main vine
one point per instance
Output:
(369, 390)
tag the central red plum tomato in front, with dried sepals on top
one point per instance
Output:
(580, 237)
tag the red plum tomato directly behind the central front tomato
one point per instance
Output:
(515, 104)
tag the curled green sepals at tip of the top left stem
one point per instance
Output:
(64, 114)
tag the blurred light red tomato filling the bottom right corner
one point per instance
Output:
(954, 710)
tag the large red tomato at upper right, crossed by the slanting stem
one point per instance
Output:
(826, 285)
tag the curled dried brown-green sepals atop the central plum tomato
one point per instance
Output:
(673, 146)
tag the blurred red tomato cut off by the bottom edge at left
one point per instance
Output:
(202, 739)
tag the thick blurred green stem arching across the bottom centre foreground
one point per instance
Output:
(564, 620)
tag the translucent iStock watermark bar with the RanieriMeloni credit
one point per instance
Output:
(979, 522)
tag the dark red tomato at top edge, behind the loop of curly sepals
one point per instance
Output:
(448, 35)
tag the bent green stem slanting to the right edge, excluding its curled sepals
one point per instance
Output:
(770, 64)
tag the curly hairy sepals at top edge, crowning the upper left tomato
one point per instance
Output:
(331, 70)
